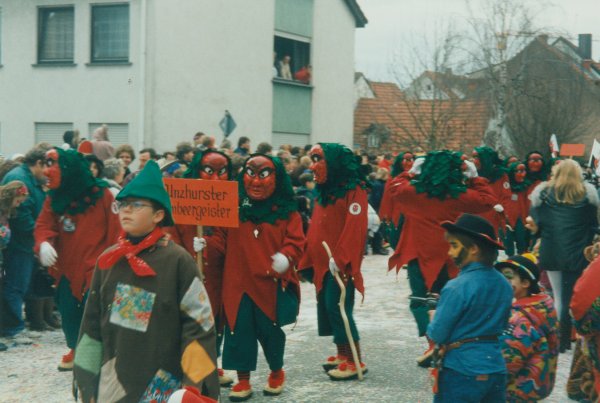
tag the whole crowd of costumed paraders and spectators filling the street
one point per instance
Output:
(500, 256)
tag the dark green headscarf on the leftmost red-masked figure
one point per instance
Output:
(78, 189)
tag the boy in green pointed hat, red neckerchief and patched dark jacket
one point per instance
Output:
(147, 303)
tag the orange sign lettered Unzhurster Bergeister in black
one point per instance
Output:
(203, 202)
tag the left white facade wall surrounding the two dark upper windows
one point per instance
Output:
(76, 94)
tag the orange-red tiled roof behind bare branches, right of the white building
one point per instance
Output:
(461, 123)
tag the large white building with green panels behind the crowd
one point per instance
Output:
(158, 71)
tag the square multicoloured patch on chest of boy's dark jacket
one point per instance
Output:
(132, 307)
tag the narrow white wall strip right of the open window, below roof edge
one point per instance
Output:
(333, 65)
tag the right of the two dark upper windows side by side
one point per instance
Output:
(110, 33)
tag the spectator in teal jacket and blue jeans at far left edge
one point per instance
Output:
(19, 256)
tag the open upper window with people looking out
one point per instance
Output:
(292, 60)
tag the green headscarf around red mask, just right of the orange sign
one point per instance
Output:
(277, 207)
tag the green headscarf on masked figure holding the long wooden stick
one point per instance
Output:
(343, 173)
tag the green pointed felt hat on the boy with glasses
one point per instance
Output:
(148, 184)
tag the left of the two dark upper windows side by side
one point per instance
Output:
(56, 34)
